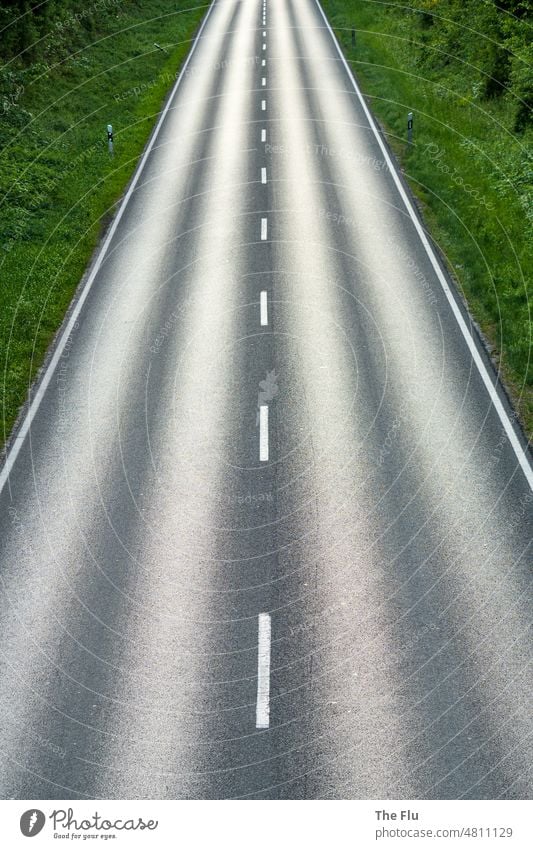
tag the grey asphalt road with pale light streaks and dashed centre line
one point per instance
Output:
(265, 531)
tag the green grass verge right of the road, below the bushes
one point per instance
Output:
(472, 174)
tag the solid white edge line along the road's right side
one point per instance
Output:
(521, 456)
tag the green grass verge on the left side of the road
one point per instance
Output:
(59, 184)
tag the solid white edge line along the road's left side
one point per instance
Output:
(65, 334)
